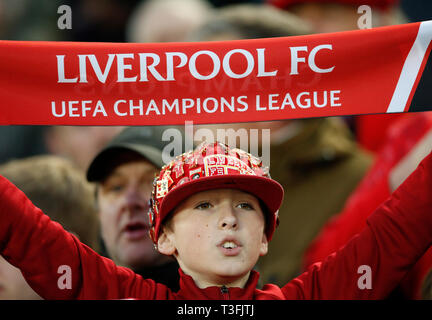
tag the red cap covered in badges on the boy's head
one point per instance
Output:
(208, 167)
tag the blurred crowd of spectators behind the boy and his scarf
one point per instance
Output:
(335, 171)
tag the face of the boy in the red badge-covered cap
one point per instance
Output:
(217, 236)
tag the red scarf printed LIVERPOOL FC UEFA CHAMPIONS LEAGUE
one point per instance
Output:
(380, 70)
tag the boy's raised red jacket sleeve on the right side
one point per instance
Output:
(397, 234)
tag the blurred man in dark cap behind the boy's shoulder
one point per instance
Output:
(124, 172)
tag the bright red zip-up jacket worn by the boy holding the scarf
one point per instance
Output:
(398, 233)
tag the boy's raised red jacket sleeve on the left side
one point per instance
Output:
(48, 256)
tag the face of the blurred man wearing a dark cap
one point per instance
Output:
(123, 205)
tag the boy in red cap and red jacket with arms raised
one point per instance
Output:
(215, 209)
